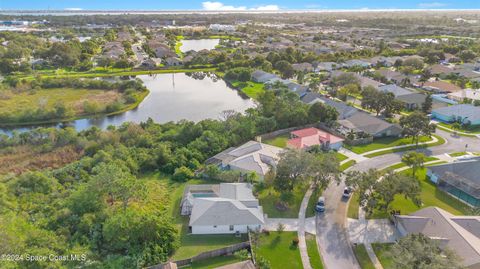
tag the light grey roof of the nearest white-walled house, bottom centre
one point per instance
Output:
(222, 211)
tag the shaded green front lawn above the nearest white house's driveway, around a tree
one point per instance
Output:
(268, 198)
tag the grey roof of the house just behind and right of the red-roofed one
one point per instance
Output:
(366, 123)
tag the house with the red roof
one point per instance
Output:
(309, 137)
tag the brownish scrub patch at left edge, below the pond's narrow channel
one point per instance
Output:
(24, 158)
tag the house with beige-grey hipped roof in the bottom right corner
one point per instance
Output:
(460, 234)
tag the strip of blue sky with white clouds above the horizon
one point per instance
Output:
(237, 5)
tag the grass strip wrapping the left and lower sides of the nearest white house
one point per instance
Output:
(191, 245)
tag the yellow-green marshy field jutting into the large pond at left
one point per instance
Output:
(53, 100)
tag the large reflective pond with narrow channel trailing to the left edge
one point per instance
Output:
(172, 97)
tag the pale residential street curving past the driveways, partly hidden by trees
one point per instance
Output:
(332, 237)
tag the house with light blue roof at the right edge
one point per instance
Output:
(463, 113)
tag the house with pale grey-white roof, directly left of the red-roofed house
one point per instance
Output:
(252, 156)
